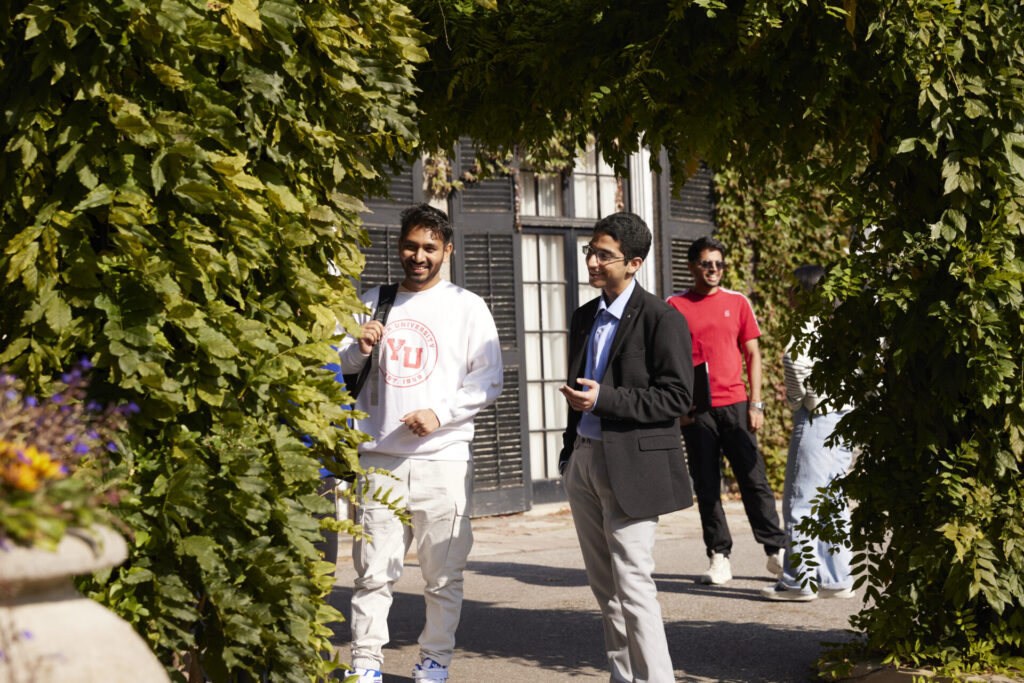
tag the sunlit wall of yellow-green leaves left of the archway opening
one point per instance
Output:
(182, 185)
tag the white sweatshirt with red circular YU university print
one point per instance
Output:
(440, 352)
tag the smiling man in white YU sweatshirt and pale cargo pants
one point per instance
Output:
(440, 364)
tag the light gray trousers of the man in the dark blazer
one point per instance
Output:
(618, 552)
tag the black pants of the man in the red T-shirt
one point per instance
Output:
(727, 428)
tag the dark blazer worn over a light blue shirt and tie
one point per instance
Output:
(649, 383)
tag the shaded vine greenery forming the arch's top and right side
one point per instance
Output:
(909, 115)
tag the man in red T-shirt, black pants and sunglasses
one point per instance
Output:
(726, 332)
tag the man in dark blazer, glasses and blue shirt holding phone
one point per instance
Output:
(631, 376)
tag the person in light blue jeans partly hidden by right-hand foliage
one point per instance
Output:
(812, 465)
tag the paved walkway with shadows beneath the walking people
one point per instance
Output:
(530, 616)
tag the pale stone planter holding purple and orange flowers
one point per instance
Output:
(50, 633)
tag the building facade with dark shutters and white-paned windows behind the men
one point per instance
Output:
(518, 245)
